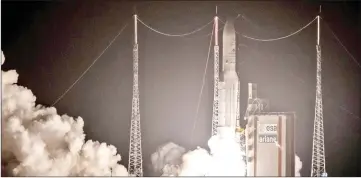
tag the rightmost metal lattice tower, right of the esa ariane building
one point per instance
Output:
(318, 168)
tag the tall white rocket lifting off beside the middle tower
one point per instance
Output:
(229, 84)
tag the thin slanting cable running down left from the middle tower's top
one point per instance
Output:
(201, 91)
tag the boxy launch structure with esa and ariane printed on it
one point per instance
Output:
(270, 145)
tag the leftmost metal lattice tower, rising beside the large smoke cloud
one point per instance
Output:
(135, 167)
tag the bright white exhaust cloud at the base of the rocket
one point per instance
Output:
(225, 159)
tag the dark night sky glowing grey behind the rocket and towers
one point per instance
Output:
(51, 43)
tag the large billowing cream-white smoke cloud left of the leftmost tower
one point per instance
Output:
(36, 141)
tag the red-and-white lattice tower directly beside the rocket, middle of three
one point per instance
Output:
(215, 117)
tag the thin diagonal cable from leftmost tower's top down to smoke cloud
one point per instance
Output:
(90, 66)
